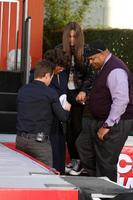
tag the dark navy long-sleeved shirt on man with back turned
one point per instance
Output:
(36, 105)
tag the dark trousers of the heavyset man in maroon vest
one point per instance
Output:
(100, 157)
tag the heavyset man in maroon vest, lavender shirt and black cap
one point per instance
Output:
(111, 107)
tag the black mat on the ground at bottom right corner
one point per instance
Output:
(94, 185)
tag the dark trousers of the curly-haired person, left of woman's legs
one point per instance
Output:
(57, 139)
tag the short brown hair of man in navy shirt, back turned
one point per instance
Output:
(43, 67)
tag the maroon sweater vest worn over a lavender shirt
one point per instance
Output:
(100, 98)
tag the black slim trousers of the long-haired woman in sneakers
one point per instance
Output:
(73, 129)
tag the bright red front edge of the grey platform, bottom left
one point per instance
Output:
(38, 194)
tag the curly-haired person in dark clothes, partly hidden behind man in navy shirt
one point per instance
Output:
(58, 83)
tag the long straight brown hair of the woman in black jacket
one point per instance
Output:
(79, 43)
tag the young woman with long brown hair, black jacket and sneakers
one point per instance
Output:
(75, 80)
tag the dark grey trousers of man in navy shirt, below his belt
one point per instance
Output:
(42, 151)
